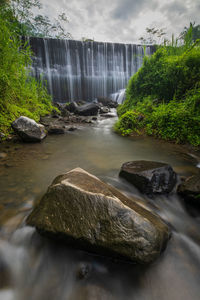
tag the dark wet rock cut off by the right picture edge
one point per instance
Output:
(190, 190)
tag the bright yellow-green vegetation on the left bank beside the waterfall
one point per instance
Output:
(20, 94)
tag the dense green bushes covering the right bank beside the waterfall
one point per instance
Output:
(163, 97)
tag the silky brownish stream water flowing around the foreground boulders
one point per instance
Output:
(34, 268)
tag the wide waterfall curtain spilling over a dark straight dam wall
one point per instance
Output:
(76, 70)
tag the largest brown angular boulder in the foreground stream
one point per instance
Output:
(84, 211)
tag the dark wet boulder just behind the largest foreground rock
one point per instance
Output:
(148, 176)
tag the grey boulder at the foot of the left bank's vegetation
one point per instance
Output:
(28, 130)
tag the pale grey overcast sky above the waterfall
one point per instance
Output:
(123, 20)
